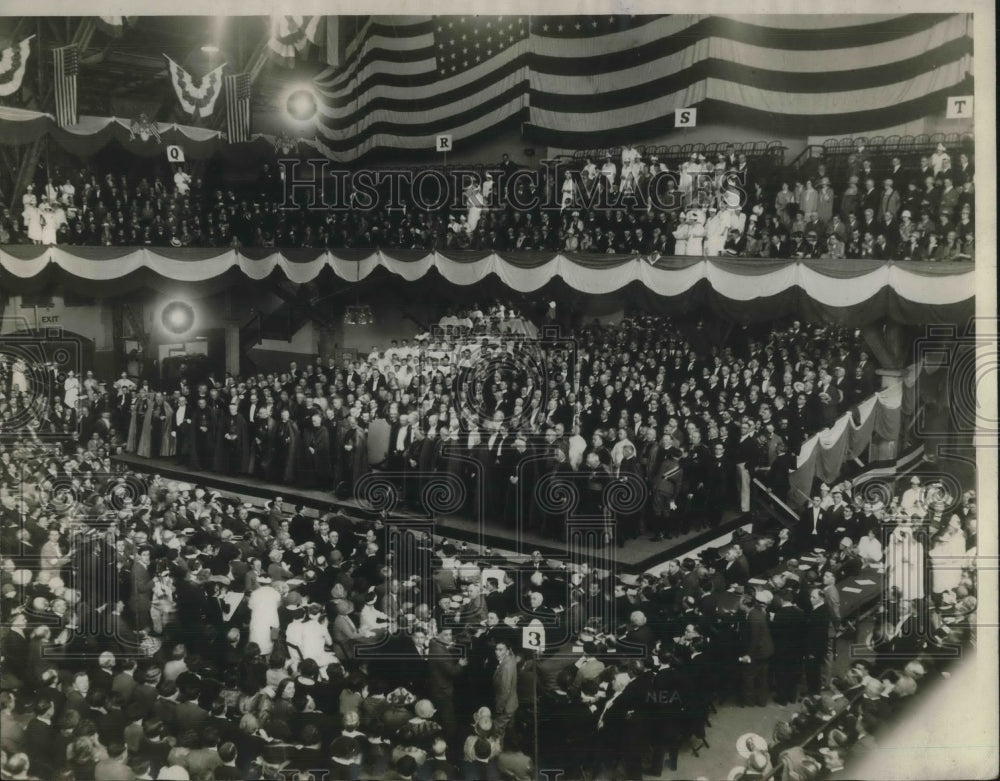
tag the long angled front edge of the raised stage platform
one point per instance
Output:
(635, 557)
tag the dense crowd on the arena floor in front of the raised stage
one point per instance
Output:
(157, 629)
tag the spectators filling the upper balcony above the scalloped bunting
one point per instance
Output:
(885, 208)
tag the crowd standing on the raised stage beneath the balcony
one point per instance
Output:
(684, 425)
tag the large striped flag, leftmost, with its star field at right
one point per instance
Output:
(407, 79)
